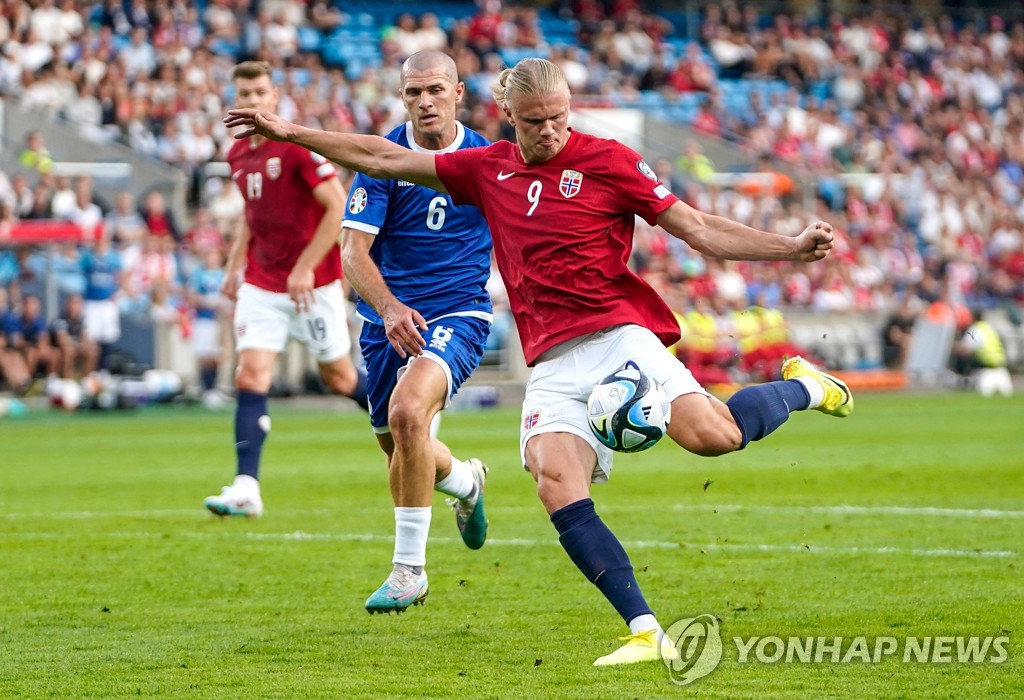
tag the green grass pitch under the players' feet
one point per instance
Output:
(115, 583)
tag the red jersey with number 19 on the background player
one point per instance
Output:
(278, 181)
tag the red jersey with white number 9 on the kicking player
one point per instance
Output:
(564, 232)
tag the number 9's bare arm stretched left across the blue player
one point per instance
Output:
(371, 155)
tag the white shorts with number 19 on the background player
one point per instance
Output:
(265, 321)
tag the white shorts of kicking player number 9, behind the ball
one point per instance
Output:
(559, 389)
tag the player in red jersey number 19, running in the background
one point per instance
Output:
(292, 285)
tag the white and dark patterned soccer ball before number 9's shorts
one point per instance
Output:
(628, 411)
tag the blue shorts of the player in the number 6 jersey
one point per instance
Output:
(456, 343)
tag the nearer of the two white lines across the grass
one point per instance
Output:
(521, 542)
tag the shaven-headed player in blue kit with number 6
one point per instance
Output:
(420, 265)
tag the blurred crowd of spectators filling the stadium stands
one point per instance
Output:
(908, 136)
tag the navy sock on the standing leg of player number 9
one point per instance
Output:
(601, 557)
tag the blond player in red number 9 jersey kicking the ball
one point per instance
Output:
(562, 207)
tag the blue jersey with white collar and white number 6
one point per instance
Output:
(435, 256)
